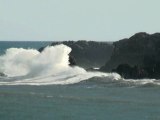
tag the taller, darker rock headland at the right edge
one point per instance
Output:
(136, 57)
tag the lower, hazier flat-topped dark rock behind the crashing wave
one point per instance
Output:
(88, 54)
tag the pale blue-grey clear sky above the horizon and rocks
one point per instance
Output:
(100, 20)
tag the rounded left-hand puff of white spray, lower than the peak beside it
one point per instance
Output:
(17, 61)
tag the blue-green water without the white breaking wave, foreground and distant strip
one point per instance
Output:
(94, 99)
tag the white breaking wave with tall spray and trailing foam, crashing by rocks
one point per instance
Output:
(30, 67)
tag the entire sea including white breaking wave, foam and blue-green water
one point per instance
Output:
(42, 86)
